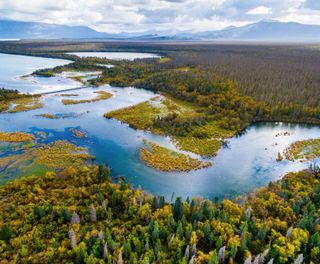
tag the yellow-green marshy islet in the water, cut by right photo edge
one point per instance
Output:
(303, 150)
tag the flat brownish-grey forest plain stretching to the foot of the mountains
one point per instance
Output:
(275, 73)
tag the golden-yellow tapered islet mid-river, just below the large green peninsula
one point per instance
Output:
(165, 159)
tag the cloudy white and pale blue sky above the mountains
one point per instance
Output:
(142, 15)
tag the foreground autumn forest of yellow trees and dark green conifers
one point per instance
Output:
(81, 216)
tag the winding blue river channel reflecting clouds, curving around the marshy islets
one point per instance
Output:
(248, 163)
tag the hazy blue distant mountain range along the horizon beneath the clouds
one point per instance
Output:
(262, 31)
